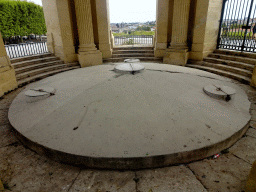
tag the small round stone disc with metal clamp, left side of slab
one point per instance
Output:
(39, 93)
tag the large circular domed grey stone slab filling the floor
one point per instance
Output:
(151, 119)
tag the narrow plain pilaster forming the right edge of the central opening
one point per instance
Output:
(162, 12)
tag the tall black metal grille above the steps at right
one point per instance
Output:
(238, 26)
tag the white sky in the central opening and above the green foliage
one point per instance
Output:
(128, 10)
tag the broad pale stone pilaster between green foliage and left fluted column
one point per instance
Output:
(58, 21)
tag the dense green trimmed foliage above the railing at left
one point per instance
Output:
(19, 18)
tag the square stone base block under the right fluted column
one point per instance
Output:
(176, 56)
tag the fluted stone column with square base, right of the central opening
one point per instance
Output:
(177, 53)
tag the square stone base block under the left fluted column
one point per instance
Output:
(90, 58)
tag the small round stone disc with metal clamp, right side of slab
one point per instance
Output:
(220, 92)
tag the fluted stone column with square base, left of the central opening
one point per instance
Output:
(88, 54)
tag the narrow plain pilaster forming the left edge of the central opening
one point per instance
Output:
(102, 9)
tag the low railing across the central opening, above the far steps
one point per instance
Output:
(133, 39)
